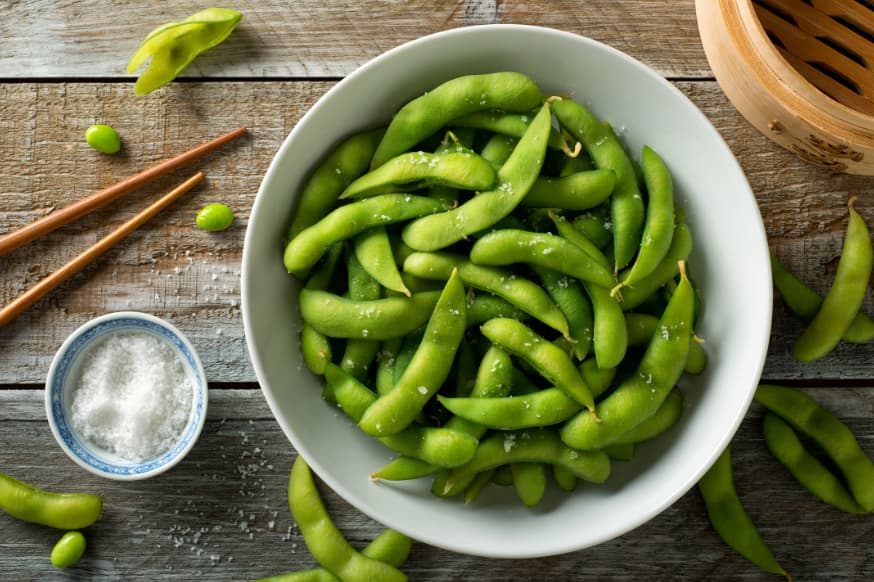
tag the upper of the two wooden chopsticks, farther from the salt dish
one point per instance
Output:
(50, 222)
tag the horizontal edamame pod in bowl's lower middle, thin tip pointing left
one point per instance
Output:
(542, 408)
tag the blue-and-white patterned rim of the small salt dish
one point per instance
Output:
(128, 320)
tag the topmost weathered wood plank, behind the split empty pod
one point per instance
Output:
(313, 38)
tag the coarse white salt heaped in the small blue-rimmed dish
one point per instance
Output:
(133, 396)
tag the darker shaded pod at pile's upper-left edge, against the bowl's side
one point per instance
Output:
(323, 186)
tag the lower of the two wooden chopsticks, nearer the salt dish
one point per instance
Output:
(29, 297)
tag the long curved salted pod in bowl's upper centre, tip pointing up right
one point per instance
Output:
(515, 179)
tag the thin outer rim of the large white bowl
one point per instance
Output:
(757, 230)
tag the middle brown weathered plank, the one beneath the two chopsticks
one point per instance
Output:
(173, 270)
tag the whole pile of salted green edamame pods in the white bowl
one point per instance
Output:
(493, 287)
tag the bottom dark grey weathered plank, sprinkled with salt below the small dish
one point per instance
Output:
(222, 513)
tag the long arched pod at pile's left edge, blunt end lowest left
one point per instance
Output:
(345, 222)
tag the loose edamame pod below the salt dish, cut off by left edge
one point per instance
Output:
(59, 510)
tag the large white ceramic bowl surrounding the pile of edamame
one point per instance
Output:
(730, 263)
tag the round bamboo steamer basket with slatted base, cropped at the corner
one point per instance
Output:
(800, 71)
